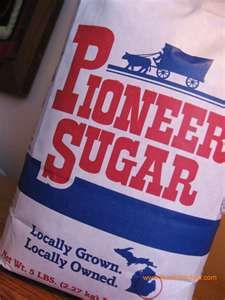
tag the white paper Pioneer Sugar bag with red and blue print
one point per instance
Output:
(121, 192)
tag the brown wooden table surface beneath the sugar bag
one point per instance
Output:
(15, 287)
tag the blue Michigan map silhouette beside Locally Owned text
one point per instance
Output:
(145, 283)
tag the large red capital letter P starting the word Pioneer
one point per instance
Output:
(86, 36)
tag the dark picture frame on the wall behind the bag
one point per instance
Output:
(27, 43)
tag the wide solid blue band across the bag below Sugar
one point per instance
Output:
(121, 215)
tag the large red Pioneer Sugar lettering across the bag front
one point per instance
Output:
(126, 117)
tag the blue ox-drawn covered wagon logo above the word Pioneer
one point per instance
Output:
(159, 68)
